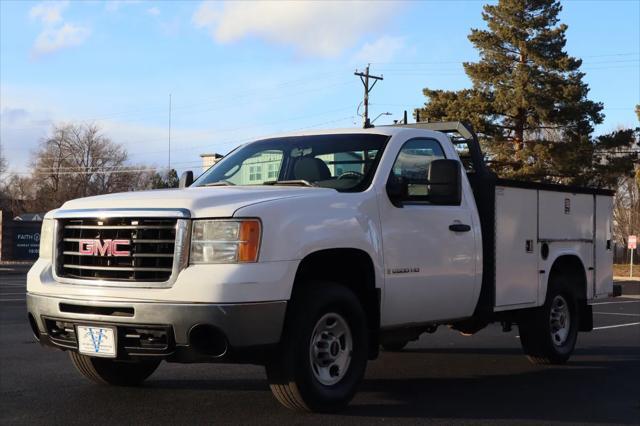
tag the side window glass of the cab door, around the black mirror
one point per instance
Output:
(412, 166)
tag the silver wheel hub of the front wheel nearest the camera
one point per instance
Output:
(330, 349)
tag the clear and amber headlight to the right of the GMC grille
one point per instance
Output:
(225, 241)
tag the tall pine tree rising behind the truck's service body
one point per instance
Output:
(529, 101)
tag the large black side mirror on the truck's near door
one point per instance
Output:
(445, 186)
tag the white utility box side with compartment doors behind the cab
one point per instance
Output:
(570, 224)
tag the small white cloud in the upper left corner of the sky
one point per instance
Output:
(56, 34)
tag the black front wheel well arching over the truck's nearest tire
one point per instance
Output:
(352, 268)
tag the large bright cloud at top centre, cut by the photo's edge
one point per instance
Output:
(312, 28)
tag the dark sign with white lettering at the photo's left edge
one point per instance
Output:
(20, 240)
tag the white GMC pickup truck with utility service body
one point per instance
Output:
(306, 253)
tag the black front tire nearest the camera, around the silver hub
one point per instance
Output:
(293, 376)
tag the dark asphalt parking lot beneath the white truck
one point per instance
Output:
(443, 378)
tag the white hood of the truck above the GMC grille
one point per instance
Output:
(217, 201)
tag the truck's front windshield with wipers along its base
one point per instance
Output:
(345, 162)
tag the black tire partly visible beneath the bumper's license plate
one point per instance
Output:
(113, 372)
